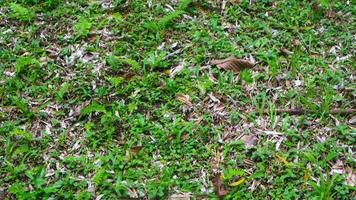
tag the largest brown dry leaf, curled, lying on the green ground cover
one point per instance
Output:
(232, 63)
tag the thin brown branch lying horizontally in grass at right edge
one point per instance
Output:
(301, 111)
